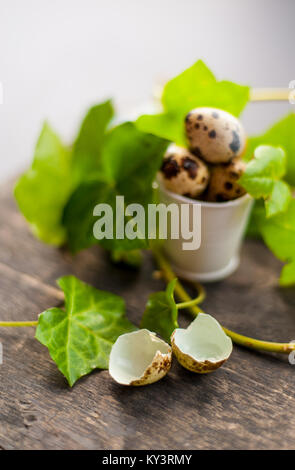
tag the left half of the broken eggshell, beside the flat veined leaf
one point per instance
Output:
(139, 358)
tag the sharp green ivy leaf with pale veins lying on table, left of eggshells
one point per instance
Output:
(80, 337)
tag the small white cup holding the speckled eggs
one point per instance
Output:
(222, 228)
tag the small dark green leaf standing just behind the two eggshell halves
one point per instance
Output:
(160, 315)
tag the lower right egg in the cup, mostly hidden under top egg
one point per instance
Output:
(224, 184)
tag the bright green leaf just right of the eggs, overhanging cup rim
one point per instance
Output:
(262, 179)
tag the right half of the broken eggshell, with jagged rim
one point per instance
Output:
(203, 347)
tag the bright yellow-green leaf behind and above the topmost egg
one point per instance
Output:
(194, 87)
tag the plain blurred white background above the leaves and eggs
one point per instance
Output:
(59, 57)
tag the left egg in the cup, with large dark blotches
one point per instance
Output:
(183, 173)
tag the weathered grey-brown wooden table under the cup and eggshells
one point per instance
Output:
(247, 404)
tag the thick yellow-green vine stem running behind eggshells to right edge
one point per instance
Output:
(252, 343)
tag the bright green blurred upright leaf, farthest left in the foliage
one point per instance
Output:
(42, 192)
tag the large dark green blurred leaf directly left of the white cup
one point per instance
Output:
(130, 160)
